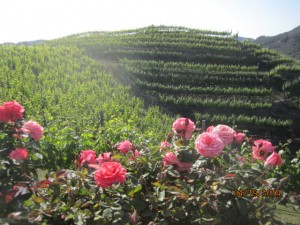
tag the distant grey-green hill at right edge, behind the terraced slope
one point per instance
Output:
(287, 43)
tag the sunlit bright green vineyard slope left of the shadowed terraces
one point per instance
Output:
(79, 105)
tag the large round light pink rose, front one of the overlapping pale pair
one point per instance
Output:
(209, 144)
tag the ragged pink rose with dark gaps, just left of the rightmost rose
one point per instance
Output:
(261, 149)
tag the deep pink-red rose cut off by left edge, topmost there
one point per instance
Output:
(11, 112)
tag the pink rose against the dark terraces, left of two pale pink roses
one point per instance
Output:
(184, 127)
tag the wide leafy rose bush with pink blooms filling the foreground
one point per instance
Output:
(190, 178)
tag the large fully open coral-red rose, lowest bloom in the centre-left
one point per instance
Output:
(110, 173)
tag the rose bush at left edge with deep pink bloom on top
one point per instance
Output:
(19, 158)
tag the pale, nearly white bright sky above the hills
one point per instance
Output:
(25, 20)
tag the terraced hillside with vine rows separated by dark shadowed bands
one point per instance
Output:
(203, 75)
